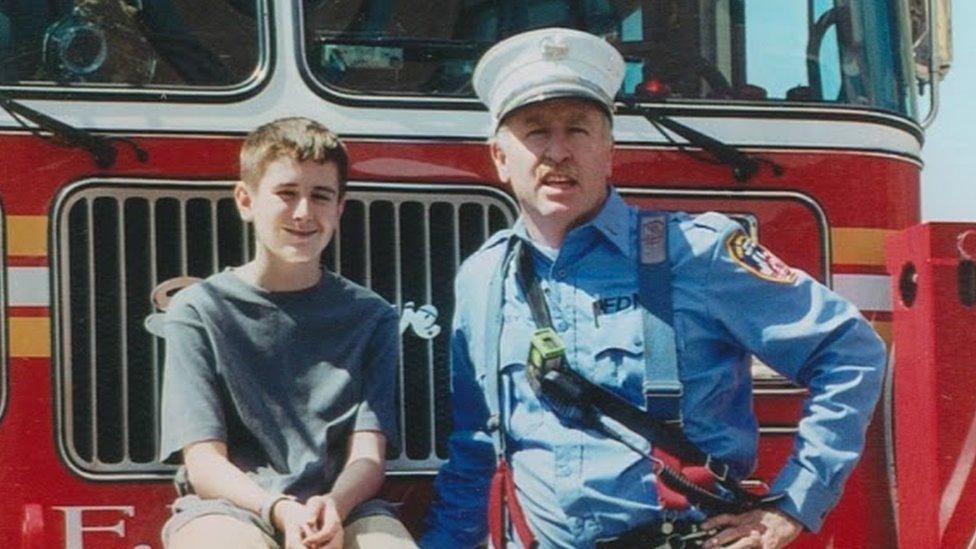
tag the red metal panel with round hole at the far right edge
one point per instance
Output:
(934, 387)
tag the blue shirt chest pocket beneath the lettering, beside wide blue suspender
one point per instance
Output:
(618, 353)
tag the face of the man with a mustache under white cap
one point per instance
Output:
(557, 156)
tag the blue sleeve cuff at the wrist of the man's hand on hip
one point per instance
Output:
(806, 498)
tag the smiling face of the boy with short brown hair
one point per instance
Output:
(295, 208)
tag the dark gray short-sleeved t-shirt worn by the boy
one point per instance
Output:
(283, 378)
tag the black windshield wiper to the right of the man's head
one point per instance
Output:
(743, 165)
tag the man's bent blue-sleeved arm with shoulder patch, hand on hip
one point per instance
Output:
(816, 339)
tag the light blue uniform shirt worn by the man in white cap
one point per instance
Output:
(731, 299)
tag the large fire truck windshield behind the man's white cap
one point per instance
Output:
(770, 52)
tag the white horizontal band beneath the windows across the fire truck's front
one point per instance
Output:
(750, 130)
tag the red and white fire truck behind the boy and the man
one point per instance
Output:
(119, 131)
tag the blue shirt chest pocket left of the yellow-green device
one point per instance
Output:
(525, 411)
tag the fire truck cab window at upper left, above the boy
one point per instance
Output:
(133, 46)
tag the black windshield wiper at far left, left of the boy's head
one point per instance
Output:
(102, 149)
